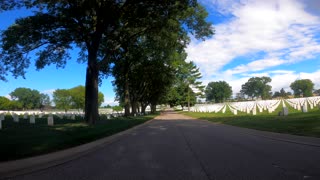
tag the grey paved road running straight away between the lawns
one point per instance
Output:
(176, 147)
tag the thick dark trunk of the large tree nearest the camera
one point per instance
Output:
(91, 90)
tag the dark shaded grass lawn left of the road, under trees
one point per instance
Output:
(20, 140)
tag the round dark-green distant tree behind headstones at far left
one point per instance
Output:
(29, 98)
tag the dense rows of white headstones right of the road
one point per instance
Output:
(261, 105)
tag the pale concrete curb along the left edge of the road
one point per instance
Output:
(28, 165)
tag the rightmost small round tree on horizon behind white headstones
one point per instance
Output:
(302, 87)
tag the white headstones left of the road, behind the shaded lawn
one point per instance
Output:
(31, 115)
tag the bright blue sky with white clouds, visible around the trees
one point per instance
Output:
(275, 38)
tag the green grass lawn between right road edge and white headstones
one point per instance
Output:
(298, 123)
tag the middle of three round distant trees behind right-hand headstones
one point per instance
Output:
(257, 87)
